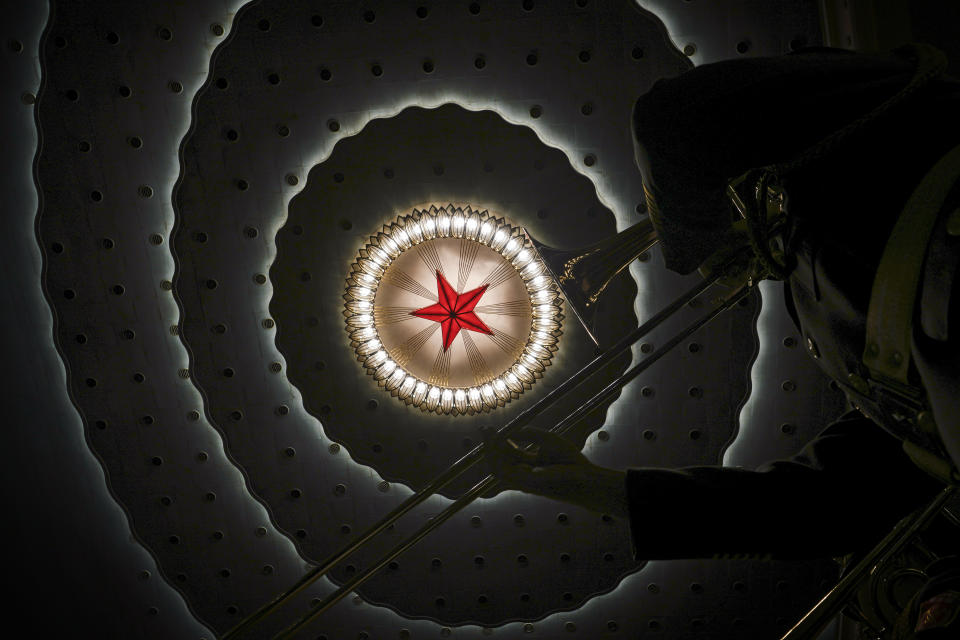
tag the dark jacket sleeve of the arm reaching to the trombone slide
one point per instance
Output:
(842, 492)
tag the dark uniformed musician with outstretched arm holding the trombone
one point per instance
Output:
(888, 126)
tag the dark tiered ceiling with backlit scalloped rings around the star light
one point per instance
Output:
(190, 189)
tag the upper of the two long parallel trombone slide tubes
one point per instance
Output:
(471, 457)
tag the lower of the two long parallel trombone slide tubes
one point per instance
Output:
(484, 485)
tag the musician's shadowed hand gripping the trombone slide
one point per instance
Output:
(554, 468)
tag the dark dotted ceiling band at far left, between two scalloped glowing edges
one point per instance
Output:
(109, 124)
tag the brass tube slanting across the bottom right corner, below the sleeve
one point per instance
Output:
(833, 602)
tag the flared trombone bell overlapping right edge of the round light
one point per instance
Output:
(583, 274)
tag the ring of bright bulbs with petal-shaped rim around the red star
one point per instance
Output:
(422, 231)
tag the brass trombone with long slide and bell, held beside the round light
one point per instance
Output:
(582, 275)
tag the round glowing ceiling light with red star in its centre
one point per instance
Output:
(479, 361)
